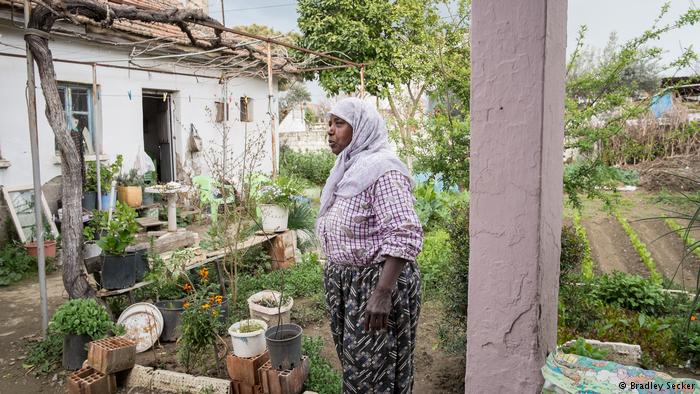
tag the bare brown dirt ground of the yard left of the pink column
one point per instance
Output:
(20, 322)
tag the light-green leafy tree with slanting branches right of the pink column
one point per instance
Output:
(598, 102)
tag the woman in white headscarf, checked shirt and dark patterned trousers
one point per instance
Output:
(371, 236)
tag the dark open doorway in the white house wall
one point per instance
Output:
(157, 132)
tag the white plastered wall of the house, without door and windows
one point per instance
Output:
(120, 116)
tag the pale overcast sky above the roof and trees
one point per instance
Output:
(628, 18)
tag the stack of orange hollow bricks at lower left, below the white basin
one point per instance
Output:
(106, 358)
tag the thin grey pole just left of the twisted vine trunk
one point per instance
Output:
(36, 176)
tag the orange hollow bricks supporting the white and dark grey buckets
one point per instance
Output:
(255, 375)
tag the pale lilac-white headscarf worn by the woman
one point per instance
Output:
(368, 157)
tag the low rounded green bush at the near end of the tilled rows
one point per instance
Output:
(631, 292)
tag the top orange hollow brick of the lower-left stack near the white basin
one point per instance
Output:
(111, 355)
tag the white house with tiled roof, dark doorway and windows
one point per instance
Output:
(151, 96)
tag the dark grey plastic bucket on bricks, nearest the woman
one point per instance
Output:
(284, 344)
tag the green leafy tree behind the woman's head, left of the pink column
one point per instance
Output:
(409, 50)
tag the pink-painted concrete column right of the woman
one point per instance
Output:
(517, 109)
